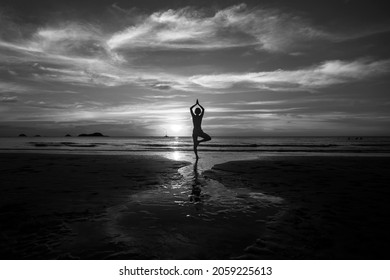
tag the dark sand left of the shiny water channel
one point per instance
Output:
(53, 206)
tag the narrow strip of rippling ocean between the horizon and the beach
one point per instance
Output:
(253, 145)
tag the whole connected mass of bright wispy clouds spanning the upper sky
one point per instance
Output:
(80, 53)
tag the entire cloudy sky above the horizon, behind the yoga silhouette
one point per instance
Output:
(133, 68)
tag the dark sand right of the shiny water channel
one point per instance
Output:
(335, 207)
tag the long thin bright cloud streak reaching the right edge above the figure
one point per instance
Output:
(326, 74)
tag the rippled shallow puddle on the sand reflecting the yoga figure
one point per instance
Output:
(191, 218)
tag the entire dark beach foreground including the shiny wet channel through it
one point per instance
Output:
(147, 206)
